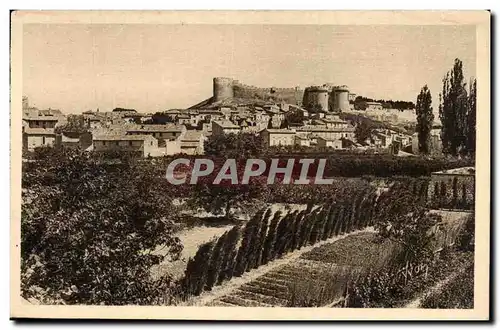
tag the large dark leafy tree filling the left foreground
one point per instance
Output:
(90, 228)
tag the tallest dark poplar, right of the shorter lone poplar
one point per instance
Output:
(453, 111)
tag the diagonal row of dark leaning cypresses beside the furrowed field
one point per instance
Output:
(269, 236)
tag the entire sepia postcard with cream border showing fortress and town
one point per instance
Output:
(250, 165)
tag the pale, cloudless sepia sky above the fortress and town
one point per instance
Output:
(76, 67)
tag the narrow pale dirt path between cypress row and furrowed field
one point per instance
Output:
(236, 282)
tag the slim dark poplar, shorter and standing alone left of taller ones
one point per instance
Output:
(425, 119)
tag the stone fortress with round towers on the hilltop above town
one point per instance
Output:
(326, 98)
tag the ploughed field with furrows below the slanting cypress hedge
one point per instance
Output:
(316, 278)
